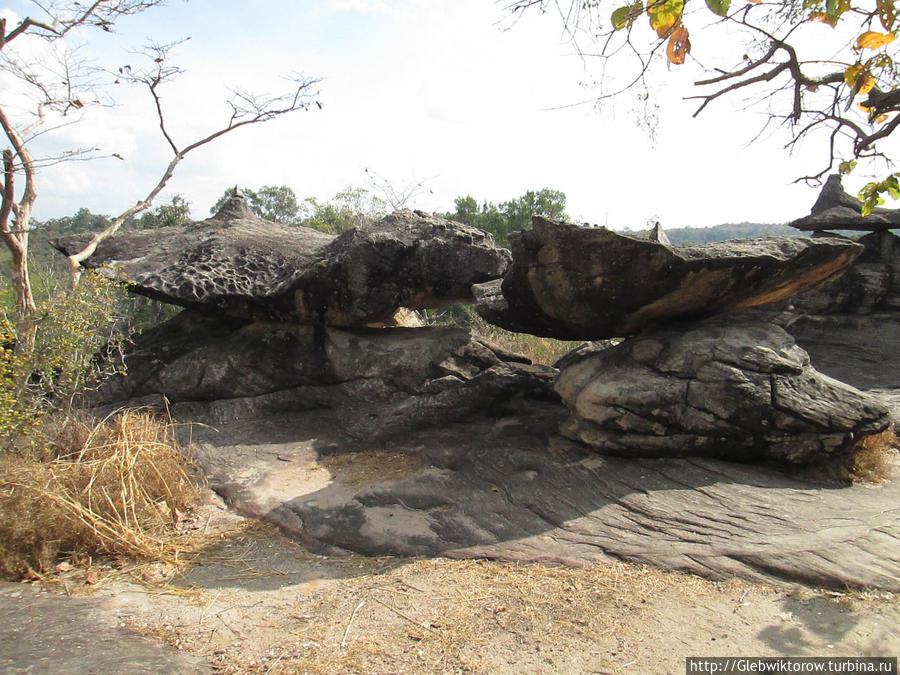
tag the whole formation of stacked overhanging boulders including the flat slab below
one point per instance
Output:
(457, 440)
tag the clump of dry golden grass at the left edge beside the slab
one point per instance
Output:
(115, 487)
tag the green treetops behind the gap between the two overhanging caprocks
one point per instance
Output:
(511, 215)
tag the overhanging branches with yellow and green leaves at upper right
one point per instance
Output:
(824, 69)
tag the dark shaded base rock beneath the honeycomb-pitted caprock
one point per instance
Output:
(386, 379)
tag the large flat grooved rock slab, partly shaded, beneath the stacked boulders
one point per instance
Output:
(509, 488)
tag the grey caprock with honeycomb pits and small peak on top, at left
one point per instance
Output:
(238, 264)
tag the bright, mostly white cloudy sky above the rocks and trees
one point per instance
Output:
(449, 93)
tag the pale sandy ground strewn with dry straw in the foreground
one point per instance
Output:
(257, 602)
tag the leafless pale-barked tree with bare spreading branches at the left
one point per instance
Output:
(54, 94)
